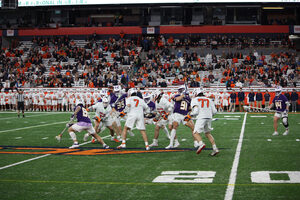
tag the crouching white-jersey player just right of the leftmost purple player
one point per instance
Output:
(103, 118)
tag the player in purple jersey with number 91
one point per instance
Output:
(182, 103)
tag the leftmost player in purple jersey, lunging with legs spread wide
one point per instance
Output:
(83, 123)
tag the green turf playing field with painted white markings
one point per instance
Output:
(93, 173)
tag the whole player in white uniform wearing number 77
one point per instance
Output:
(203, 109)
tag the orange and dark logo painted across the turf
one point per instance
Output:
(79, 151)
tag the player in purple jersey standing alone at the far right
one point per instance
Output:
(281, 104)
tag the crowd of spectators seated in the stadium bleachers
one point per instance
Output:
(146, 62)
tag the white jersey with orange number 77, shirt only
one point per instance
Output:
(203, 107)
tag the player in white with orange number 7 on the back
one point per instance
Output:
(136, 108)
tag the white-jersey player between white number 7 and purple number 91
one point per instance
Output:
(163, 109)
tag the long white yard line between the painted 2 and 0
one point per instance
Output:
(233, 173)
